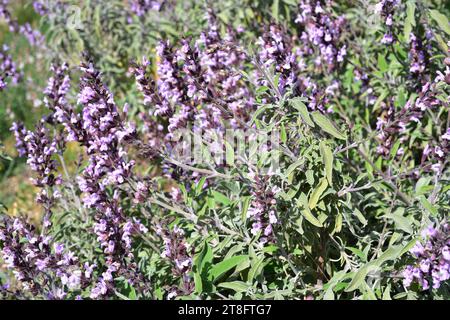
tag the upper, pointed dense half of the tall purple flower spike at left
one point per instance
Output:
(106, 131)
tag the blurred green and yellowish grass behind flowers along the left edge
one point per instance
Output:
(20, 103)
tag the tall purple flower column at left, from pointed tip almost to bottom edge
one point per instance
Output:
(105, 131)
